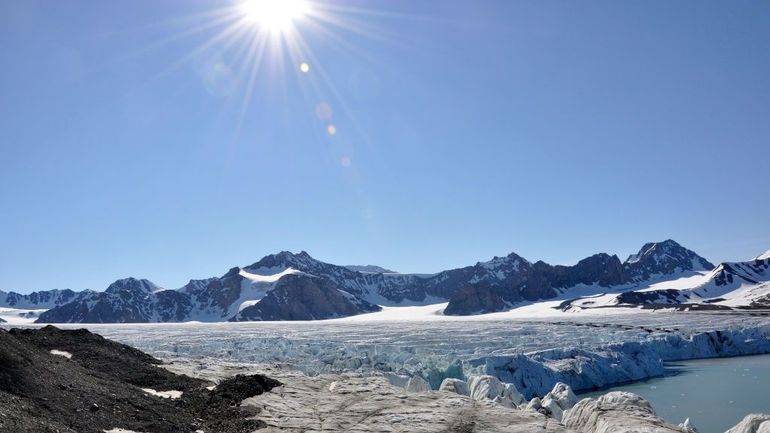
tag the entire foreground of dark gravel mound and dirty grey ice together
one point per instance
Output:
(66, 381)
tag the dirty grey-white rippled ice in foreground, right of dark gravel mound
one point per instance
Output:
(358, 403)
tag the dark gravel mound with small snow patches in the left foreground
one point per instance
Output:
(99, 389)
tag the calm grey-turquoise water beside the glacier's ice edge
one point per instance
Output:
(715, 393)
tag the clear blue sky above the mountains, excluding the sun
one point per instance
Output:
(465, 130)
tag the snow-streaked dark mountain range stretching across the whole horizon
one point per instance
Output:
(295, 286)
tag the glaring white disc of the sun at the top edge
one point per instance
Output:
(275, 16)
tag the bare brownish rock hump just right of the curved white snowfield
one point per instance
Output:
(301, 297)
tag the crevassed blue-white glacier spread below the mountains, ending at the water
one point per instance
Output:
(583, 352)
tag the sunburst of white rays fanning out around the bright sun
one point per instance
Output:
(270, 39)
